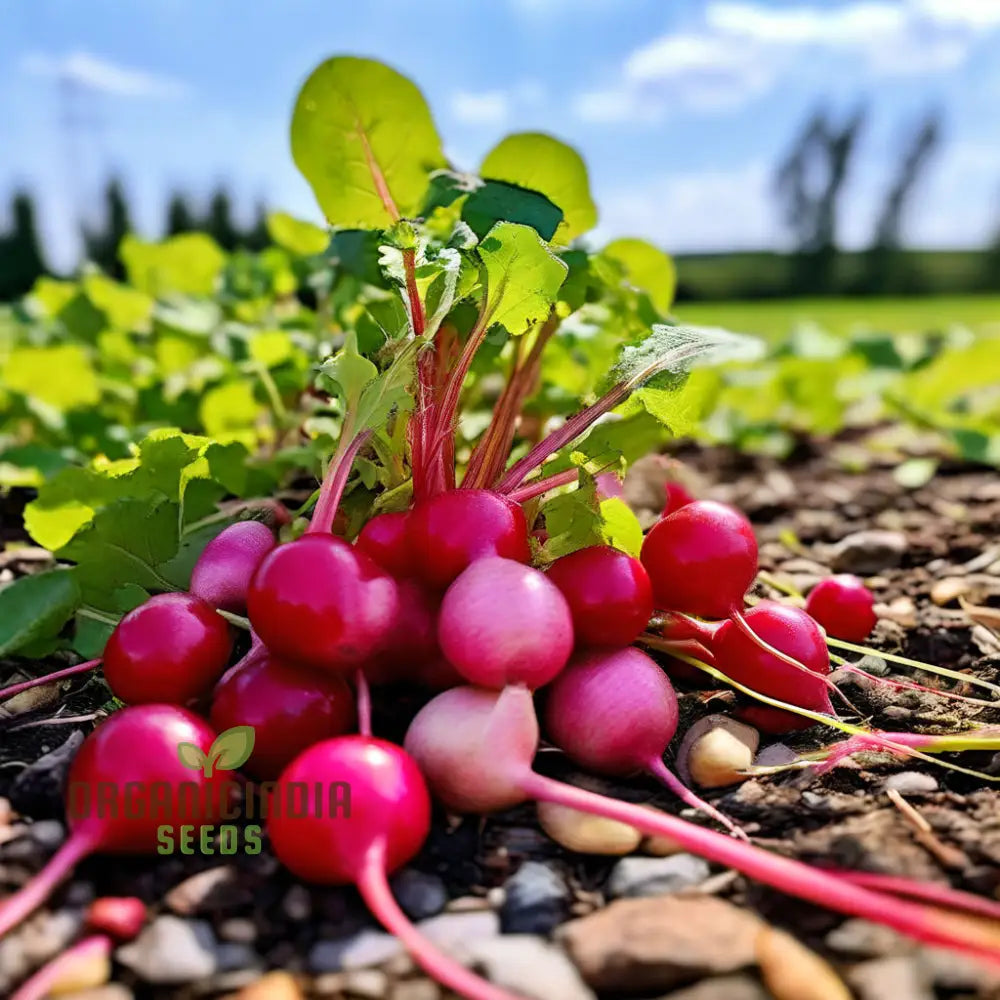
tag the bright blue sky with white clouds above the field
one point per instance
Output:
(681, 108)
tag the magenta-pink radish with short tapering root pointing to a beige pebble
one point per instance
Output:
(632, 716)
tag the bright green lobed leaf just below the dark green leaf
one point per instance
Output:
(522, 277)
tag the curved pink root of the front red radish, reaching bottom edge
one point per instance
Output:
(374, 889)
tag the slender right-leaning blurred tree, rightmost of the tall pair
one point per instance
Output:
(885, 270)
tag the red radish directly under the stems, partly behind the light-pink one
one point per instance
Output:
(451, 530)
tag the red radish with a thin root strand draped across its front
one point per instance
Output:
(793, 632)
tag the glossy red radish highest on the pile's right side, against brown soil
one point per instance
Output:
(701, 559)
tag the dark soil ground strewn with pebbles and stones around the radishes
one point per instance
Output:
(558, 925)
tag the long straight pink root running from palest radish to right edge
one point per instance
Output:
(786, 875)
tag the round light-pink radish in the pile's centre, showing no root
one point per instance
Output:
(505, 623)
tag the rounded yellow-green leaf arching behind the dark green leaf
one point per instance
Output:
(542, 163)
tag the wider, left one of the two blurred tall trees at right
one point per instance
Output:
(809, 184)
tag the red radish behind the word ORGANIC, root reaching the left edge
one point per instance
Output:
(125, 783)
